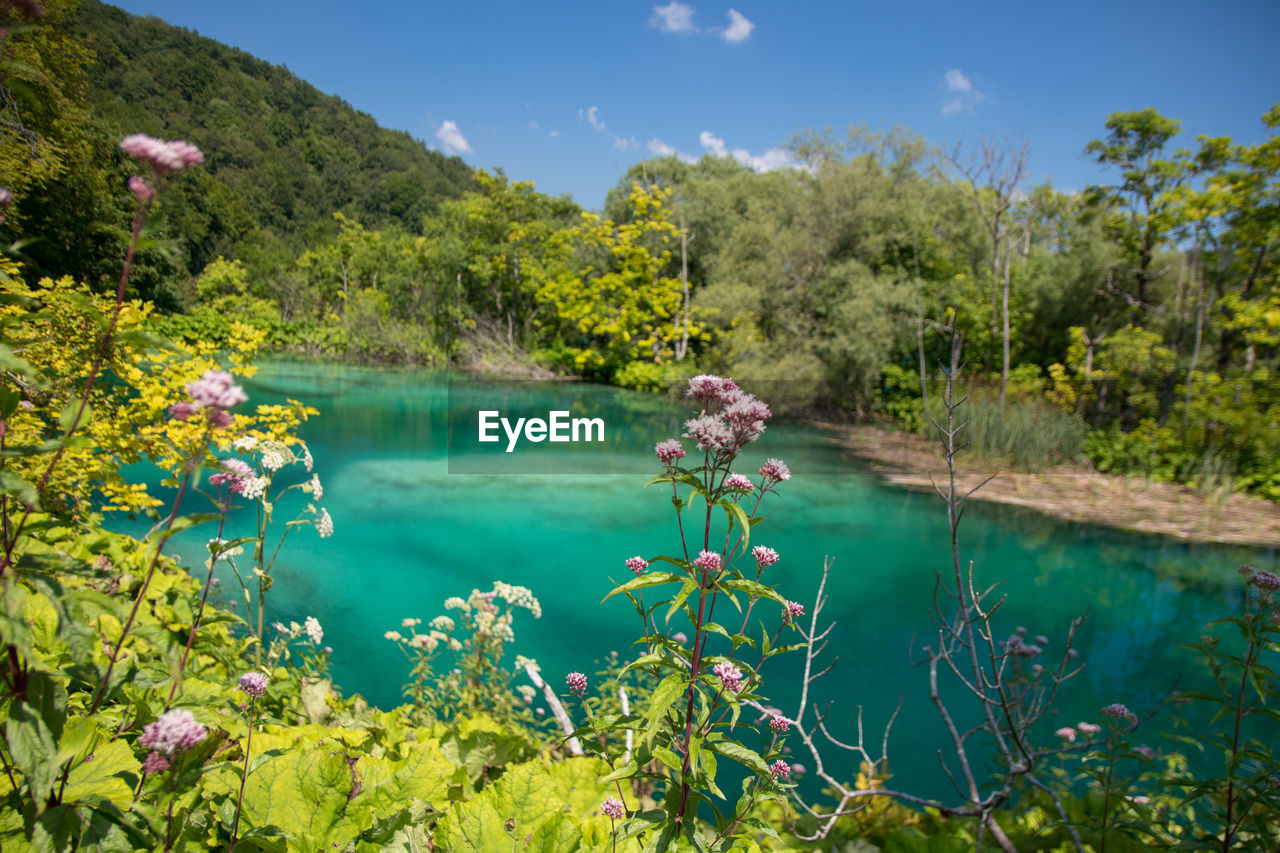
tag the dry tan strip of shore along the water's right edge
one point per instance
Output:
(1075, 492)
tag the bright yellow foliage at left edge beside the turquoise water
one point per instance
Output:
(127, 417)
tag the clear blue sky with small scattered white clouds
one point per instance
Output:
(570, 94)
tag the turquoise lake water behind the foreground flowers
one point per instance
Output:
(410, 533)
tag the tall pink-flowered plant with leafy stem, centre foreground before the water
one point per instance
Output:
(703, 677)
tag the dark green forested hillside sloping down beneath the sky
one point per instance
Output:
(281, 157)
